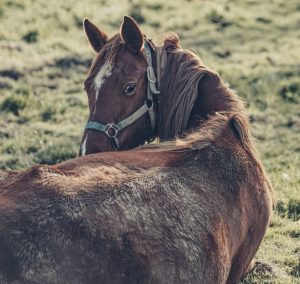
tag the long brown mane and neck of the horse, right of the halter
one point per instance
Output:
(186, 83)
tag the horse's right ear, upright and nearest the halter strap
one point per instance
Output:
(131, 34)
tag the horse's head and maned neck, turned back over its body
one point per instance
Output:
(132, 95)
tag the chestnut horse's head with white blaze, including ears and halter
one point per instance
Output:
(120, 88)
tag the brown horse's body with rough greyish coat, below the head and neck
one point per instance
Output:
(193, 213)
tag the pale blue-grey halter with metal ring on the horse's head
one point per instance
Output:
(111, 130)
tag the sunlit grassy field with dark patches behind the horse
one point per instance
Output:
(254, 45)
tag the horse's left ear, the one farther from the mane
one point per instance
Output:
(96, 38)
